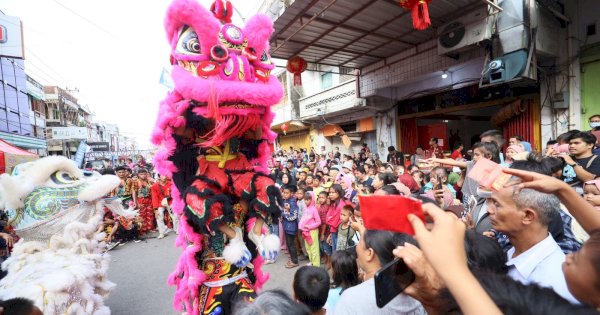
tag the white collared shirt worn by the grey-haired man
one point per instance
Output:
(542, 265)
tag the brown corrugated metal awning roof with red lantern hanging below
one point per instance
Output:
(355, 33)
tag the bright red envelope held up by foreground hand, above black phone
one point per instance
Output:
(390, 213)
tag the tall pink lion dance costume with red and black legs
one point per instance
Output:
(213, 131)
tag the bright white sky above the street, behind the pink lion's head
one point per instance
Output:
(112, 51)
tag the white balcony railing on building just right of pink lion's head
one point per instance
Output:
(334, 99)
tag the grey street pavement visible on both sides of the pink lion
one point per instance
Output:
(140, 271)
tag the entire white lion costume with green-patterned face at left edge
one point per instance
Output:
(59, 261)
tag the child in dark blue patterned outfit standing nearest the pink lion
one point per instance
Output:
(290, 224)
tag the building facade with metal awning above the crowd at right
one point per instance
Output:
(528, 68)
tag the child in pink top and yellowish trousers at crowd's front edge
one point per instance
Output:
(309, 226)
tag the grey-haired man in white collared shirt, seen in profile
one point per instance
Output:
(535, 256)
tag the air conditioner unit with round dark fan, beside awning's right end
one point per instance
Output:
(464, 32)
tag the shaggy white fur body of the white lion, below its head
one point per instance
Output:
(69, 263)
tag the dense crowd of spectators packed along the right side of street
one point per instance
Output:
(481, 250)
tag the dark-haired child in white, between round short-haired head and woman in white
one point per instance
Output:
(344, 275)
